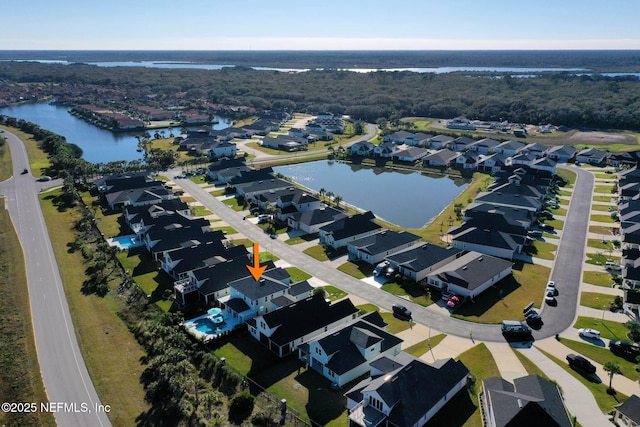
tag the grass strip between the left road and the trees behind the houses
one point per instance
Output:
(115, 373)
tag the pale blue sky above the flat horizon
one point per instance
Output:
(319, 25)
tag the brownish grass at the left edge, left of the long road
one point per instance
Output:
(20, 378)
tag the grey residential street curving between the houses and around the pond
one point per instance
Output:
(567, 271)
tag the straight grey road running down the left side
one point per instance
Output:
(64, 373)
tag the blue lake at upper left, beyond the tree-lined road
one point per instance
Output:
(98, 145)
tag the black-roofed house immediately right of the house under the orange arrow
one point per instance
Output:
(285, 329)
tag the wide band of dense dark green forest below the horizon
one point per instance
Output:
(560, 98)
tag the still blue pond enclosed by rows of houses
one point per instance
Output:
(407, 199)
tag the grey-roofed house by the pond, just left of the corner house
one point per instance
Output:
(418, 261)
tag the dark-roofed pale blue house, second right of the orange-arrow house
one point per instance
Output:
(343, 354)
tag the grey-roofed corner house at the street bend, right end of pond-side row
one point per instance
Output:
(470, 275)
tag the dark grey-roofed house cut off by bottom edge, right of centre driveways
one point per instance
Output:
(529, 401)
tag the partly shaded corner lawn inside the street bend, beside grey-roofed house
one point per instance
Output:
(506, 299)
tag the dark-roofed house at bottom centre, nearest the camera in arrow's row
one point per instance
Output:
(389, 396)
